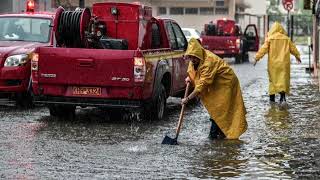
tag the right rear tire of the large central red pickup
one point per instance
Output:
(157, 109)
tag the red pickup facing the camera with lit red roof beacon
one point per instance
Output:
(20, 34)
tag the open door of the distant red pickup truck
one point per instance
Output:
(252, 38)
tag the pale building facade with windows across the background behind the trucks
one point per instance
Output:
(188, 13)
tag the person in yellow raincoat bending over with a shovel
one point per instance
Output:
(219, 90)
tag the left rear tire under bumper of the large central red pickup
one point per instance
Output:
(62, 111)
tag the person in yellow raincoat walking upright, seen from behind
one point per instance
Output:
(279, 47)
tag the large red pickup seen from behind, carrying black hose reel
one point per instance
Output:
(117, 57)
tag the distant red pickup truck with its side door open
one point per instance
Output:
(225, 38)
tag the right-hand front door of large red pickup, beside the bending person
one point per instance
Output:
(178, 44)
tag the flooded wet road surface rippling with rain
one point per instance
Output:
(281, 142)
